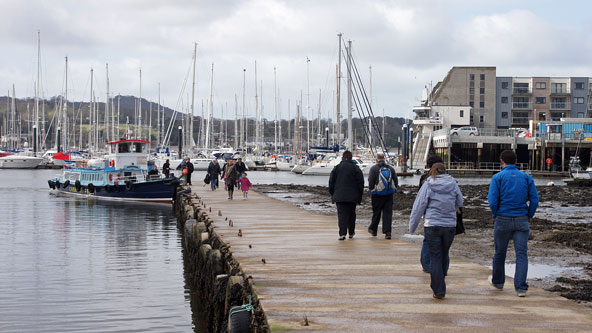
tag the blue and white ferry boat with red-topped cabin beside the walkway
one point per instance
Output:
(124, 175)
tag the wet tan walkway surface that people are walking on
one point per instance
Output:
(300, 270)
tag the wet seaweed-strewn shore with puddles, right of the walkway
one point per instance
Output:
(560, 246)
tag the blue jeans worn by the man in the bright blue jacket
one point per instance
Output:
(506, 228)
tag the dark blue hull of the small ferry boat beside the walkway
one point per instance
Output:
(155, 191)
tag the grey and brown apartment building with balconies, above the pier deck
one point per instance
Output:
(505, 102)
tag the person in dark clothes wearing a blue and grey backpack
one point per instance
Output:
(382, 183)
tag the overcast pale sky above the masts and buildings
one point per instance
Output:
(408, 44)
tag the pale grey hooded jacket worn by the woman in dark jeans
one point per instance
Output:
(437, 200)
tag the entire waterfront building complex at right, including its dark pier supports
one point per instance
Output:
(472, 115)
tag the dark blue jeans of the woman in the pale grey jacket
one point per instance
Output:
(439, 240)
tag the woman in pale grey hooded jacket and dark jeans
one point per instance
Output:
(437, 200)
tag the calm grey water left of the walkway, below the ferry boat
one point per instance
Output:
(72, 265)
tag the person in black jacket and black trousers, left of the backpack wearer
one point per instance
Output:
(346, 186)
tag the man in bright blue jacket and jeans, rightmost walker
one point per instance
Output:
(513, 200)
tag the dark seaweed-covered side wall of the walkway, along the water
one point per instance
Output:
(212, 270)
